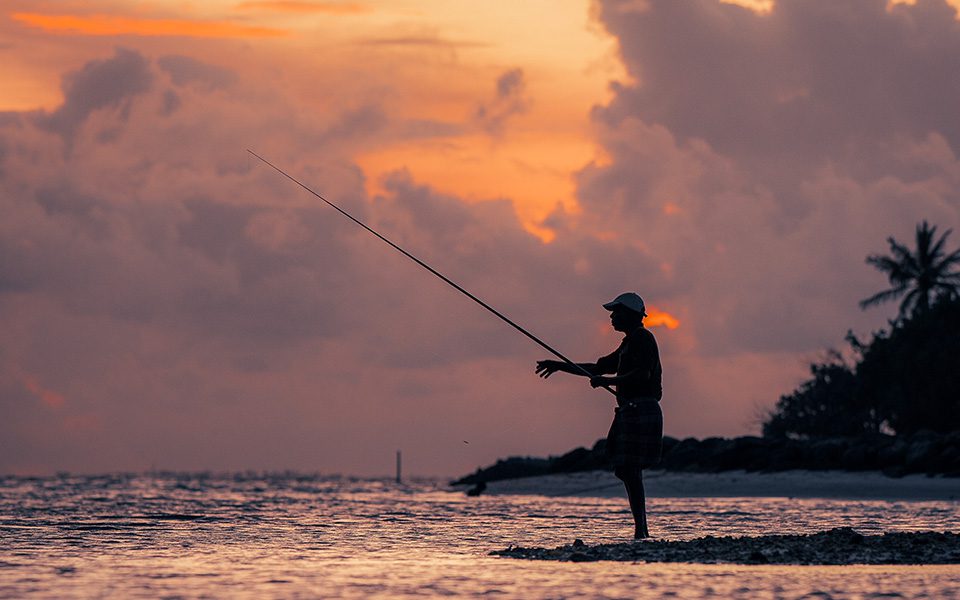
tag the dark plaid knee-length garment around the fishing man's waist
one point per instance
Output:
(636, 435)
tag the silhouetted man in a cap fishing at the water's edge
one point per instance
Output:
(635, 439)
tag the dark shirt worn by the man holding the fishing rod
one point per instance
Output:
(637, 353)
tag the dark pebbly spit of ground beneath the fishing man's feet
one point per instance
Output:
(841, 546)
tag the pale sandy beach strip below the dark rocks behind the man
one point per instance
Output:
(784, 484)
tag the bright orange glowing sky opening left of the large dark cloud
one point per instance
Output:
(566, 64)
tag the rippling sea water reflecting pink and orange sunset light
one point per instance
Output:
(295, 536)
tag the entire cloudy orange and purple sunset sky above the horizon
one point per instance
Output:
(168, 302)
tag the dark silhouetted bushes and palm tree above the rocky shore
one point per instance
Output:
(905, 379)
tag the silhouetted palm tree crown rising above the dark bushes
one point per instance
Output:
(920, 277)
